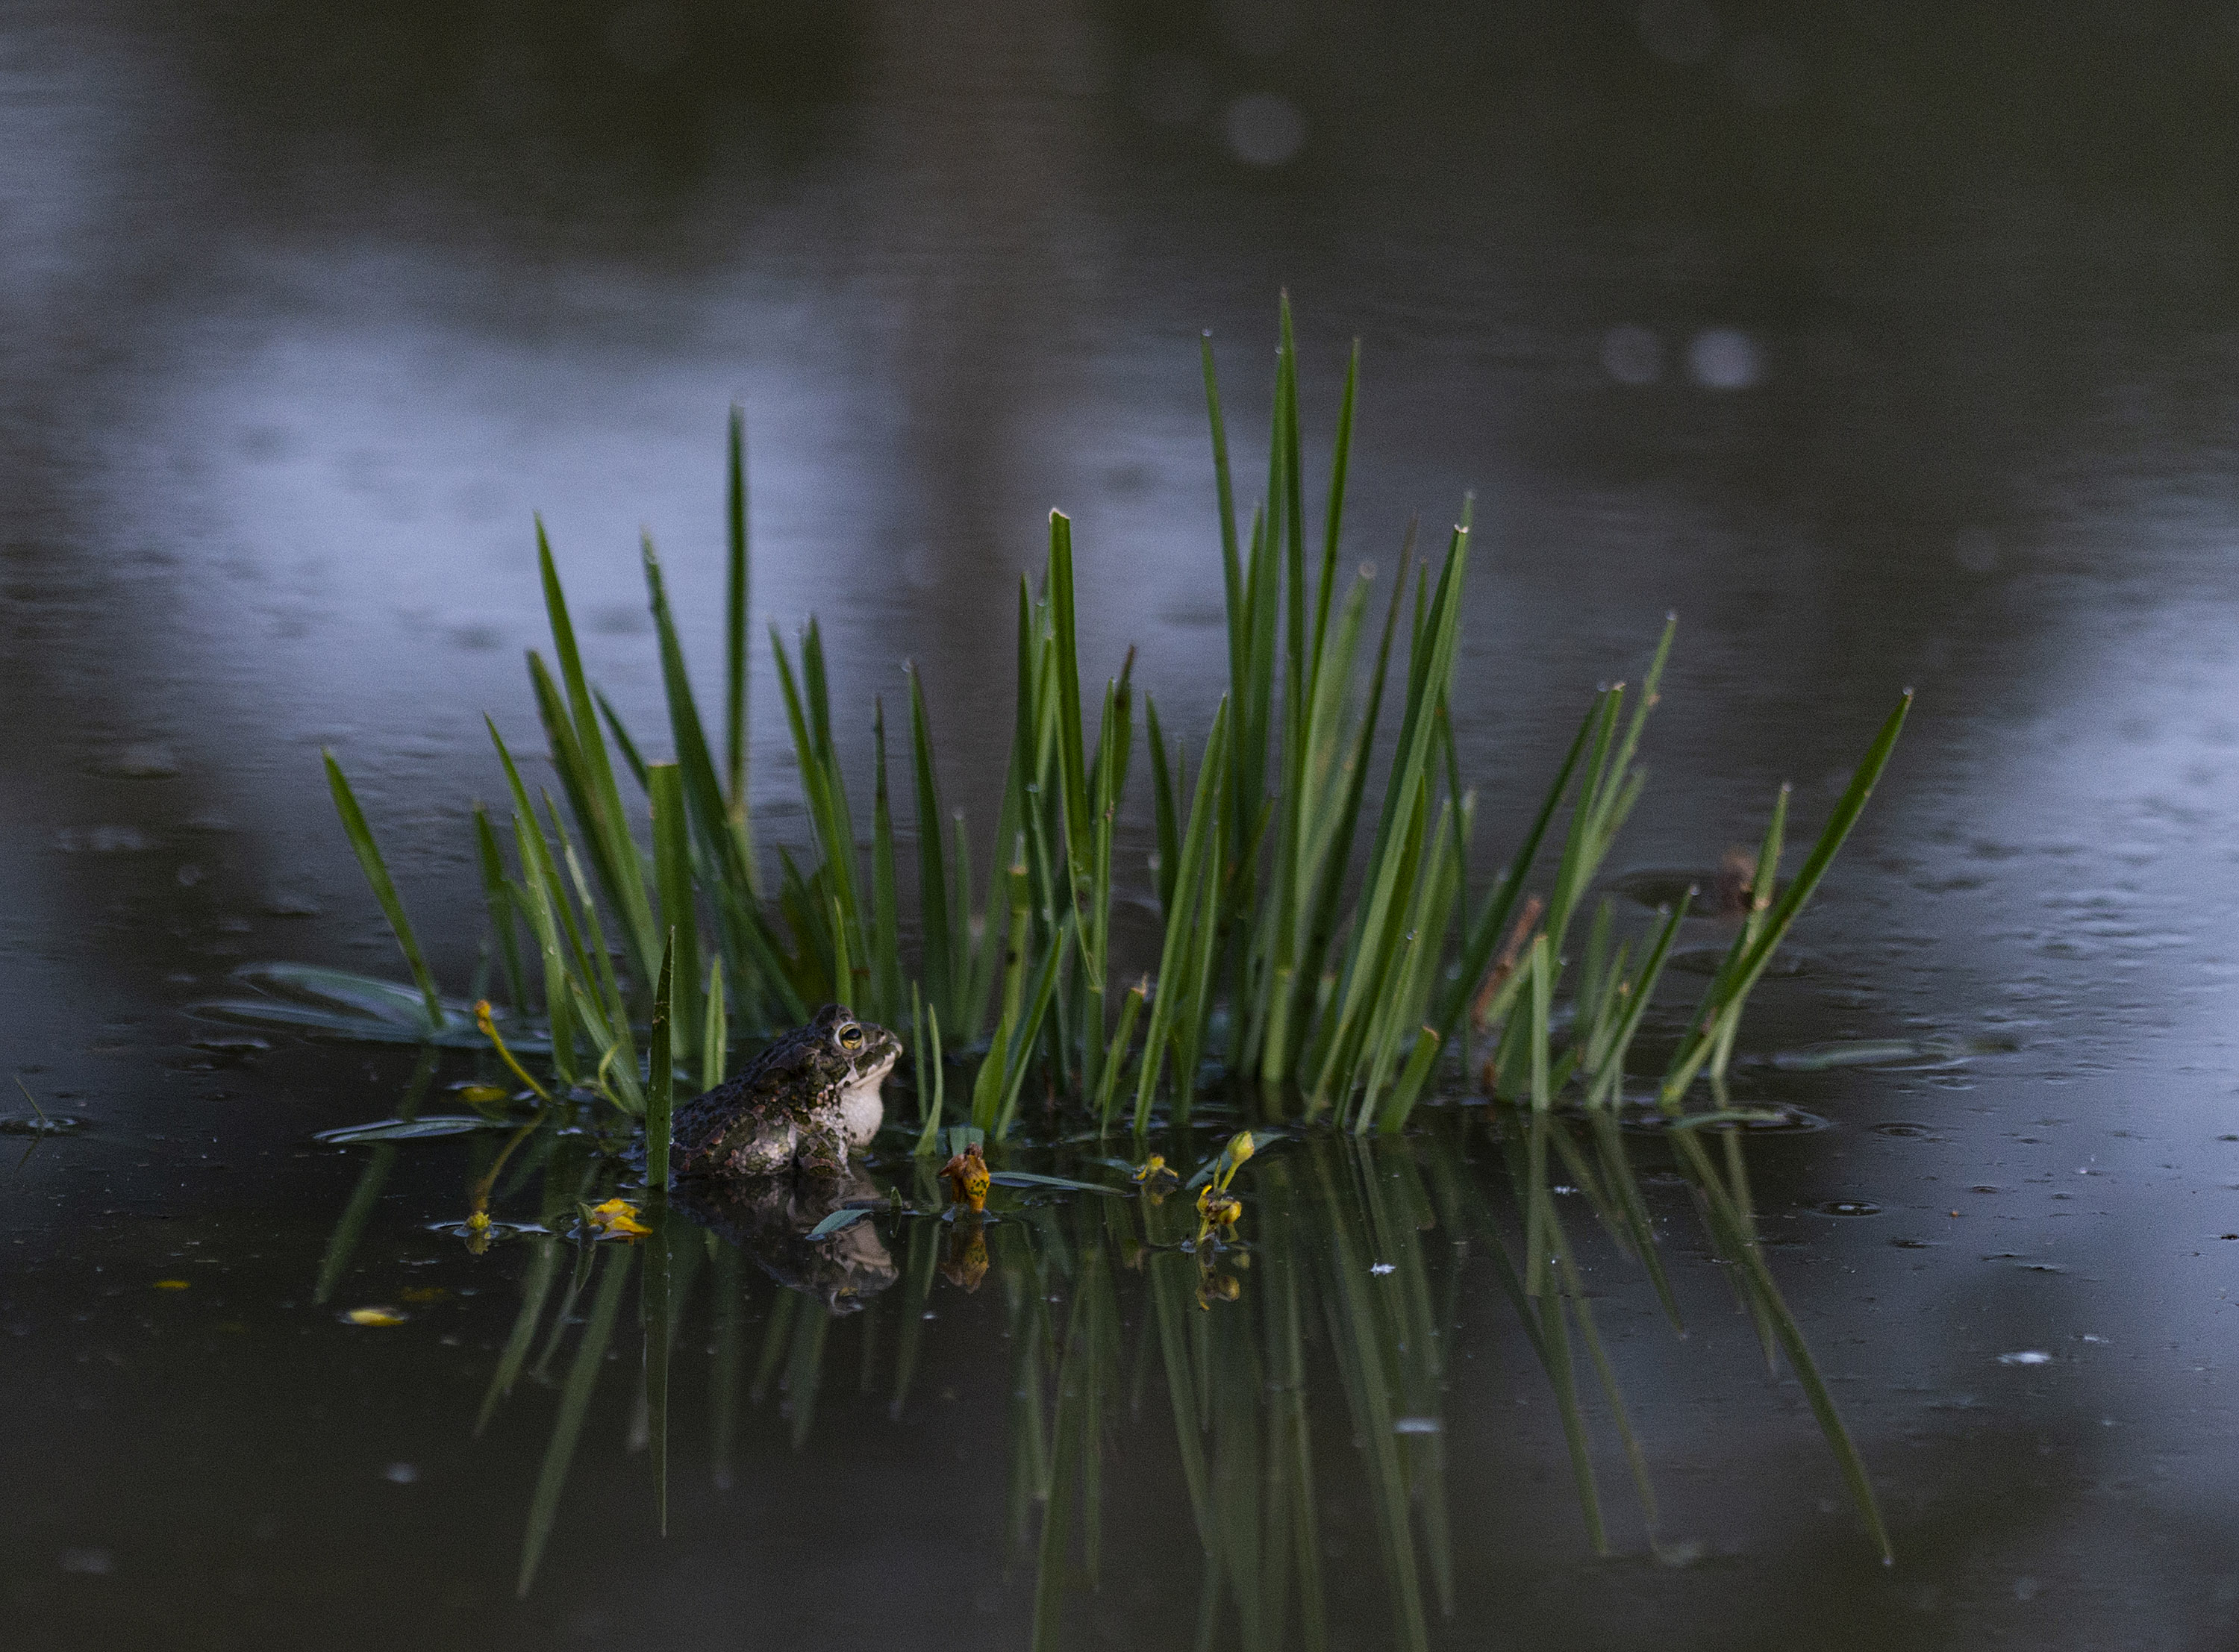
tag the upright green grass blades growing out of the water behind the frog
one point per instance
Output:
(1320, 926)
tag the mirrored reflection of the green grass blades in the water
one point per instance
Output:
(1345, 1279)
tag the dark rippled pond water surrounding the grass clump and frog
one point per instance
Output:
(1891, 346)
